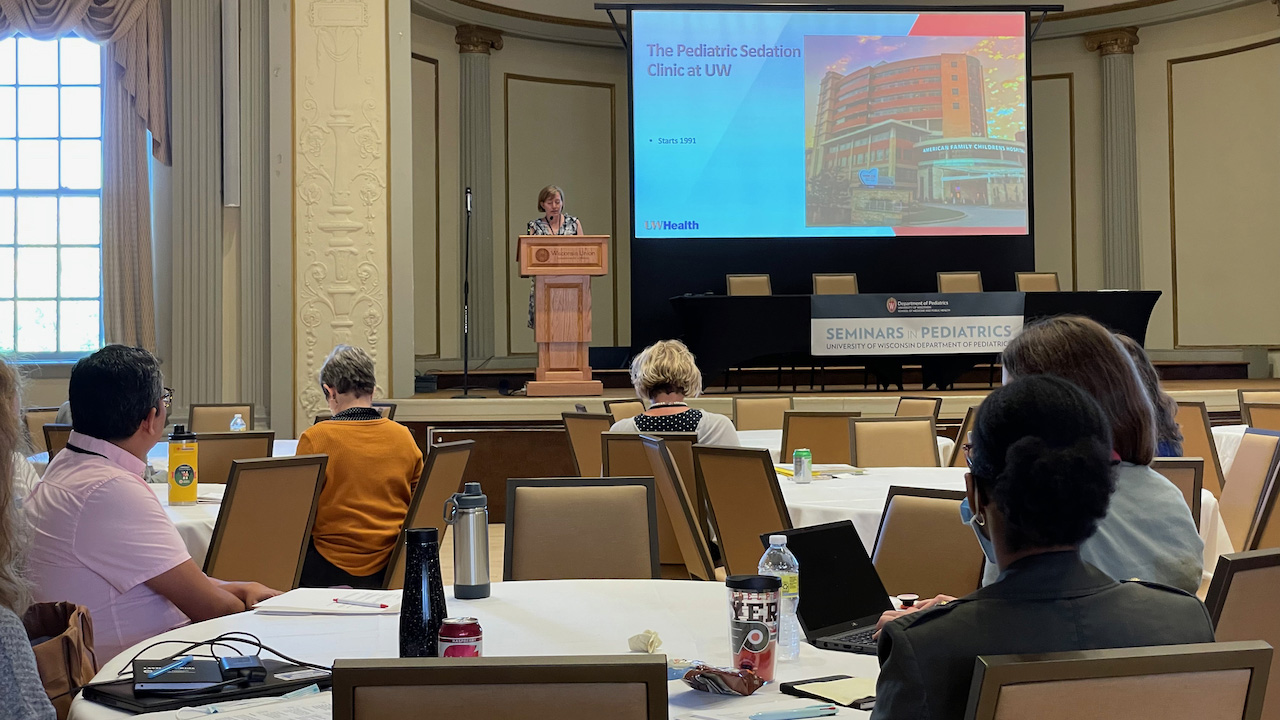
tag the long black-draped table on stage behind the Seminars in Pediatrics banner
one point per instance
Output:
(774, 331)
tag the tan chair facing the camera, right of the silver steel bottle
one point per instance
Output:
(582, 528)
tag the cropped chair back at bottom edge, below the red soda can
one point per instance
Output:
(619, 687)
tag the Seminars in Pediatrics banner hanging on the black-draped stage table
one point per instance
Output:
(915, 323)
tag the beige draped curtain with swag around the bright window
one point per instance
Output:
(135, 92)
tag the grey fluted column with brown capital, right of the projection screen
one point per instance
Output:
(1123, 267)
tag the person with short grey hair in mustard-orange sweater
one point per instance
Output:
(374, 466)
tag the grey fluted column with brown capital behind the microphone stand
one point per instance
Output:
(477, 160)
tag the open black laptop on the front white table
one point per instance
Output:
(842, 595)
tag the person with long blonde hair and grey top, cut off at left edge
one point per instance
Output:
(22, 696)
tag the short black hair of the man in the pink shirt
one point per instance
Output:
(113, 391)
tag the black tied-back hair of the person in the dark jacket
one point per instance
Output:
(1043, 454)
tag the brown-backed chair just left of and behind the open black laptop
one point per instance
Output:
(744, 500)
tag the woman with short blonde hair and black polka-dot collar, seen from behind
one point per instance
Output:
(665, 375)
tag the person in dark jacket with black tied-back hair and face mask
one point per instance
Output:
(1040, 480)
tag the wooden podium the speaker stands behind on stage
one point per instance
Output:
(563, 267)
